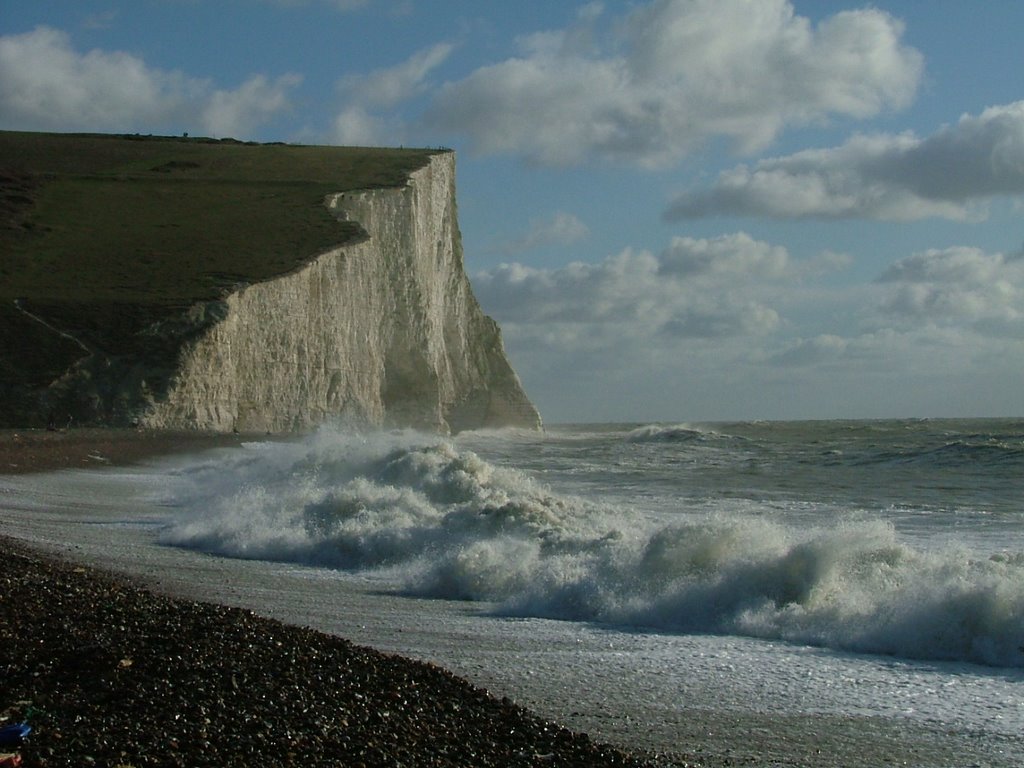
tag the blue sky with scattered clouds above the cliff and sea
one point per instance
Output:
(677, 210)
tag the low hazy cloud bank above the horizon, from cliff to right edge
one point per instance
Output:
(740, 322)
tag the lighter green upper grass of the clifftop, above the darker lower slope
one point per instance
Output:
(162, 222)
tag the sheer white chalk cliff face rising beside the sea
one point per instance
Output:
(382, 333)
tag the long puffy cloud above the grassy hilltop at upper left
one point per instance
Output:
(46, 84)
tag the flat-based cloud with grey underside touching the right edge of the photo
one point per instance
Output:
(895, 178)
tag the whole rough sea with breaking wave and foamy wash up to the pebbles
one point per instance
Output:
(819, 593)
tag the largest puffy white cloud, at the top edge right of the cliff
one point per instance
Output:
(675, 73)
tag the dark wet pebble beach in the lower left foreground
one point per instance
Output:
(112, 675)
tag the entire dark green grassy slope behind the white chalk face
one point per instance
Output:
(110, 243)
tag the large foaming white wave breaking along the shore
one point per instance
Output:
(444, 523)
